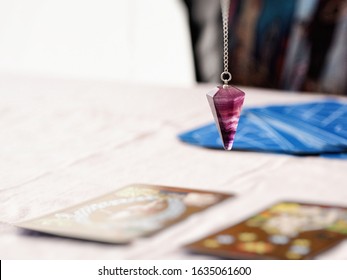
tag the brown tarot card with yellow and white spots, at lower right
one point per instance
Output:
(287, 230)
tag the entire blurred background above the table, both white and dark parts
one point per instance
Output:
(296, 45)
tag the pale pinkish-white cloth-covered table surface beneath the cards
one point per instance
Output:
(63, 142)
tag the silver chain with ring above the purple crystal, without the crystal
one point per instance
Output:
(225, 76)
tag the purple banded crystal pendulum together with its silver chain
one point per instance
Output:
(225, 100)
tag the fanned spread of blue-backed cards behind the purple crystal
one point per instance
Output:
(317, 128)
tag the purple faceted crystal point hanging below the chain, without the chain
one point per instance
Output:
(226, 104)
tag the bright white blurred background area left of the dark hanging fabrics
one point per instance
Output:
(126, 40)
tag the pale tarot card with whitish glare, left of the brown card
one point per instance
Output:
(132, 212)
